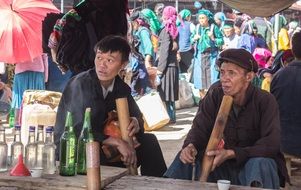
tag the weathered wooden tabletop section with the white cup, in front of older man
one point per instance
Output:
(154, 183)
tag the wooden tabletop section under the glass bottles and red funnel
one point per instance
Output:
(57, 182)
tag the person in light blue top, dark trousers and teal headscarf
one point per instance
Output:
(185, 28)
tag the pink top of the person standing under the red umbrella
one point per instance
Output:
(38, 64)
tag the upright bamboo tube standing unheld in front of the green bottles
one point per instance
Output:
(93, 165)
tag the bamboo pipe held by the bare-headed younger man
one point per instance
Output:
(124, 121)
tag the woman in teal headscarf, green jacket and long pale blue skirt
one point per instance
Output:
(208, 39)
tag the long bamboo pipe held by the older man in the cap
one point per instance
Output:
(216, 135)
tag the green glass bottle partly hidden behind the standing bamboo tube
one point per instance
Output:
(85, 136)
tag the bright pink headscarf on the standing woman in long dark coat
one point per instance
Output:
(169, 19)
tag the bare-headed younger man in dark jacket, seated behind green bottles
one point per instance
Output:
(98, 88)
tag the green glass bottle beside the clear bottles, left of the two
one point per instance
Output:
(68, 147)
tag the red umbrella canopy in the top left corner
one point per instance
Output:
(21, 28)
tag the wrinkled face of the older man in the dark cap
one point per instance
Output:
(234, 79)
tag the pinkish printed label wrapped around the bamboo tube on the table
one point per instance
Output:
(92, 149)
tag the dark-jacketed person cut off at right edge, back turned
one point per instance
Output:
(286, 88)
